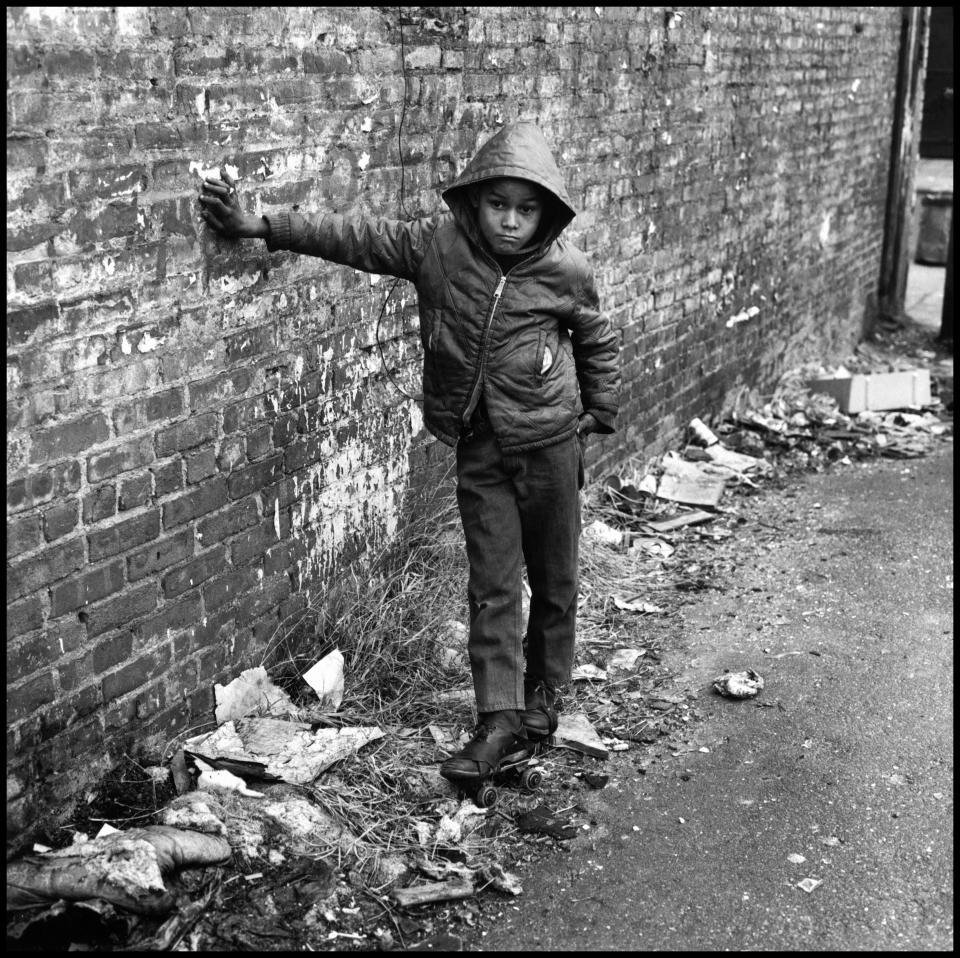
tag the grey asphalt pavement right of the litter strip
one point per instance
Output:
(820, 814)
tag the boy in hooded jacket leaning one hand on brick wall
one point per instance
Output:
(519, 367)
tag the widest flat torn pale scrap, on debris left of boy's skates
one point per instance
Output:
(276, 749)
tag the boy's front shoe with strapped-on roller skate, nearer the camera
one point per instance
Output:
(499, 752)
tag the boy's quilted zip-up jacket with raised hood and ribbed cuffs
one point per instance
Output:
(532, 341)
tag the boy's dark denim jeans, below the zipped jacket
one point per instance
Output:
(519, 508)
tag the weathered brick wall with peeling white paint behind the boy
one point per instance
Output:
(200, 433)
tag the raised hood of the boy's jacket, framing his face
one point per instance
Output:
(518, 150)
